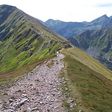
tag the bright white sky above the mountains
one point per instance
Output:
(65, 10)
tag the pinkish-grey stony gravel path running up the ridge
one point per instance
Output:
(38, 91)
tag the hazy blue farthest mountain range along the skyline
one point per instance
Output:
(71, 29)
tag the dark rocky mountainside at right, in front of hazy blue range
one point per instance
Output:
(97, 43)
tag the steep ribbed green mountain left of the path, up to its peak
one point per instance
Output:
(24, 40)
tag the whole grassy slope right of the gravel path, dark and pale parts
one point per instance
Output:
(88, 81)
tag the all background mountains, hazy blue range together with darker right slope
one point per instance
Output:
(94, 37)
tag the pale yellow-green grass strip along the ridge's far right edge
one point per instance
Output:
(89, 61)
